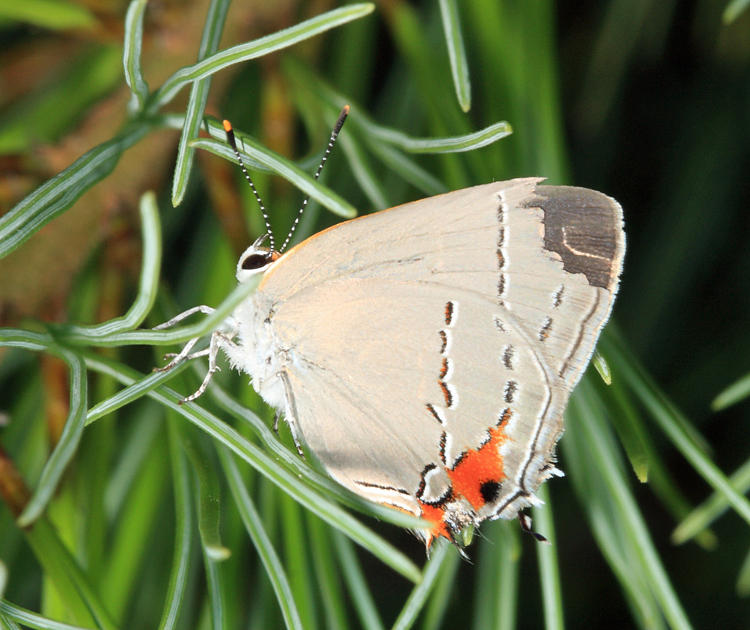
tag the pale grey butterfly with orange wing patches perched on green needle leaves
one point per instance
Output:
(425, 354)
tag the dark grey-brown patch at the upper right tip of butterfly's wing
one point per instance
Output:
(584, 227)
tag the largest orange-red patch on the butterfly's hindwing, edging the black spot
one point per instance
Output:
(479, 466)
